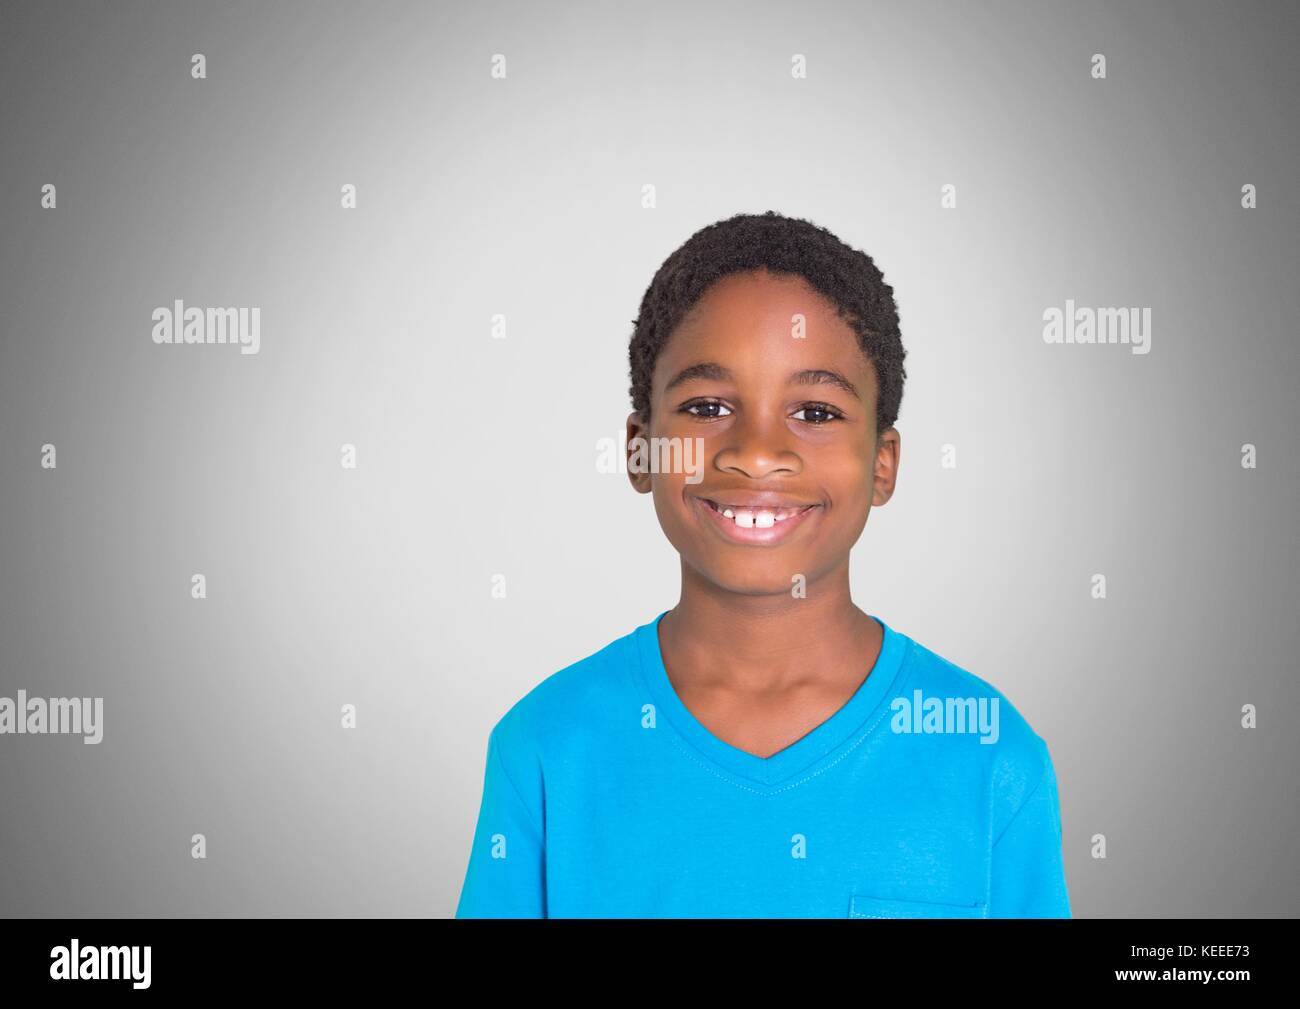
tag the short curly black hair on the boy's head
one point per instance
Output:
(782, 245)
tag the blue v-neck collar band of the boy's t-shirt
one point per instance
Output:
(842, 729)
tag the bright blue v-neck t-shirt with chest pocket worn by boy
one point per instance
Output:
(925, 796)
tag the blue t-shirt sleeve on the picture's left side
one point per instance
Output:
(506, 876)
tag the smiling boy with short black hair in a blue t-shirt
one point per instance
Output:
(766, 750)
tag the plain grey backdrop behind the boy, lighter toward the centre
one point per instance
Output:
(476, 456)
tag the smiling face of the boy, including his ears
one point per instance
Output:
(798, 452)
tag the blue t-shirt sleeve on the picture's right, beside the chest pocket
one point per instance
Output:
(1029, 869)
